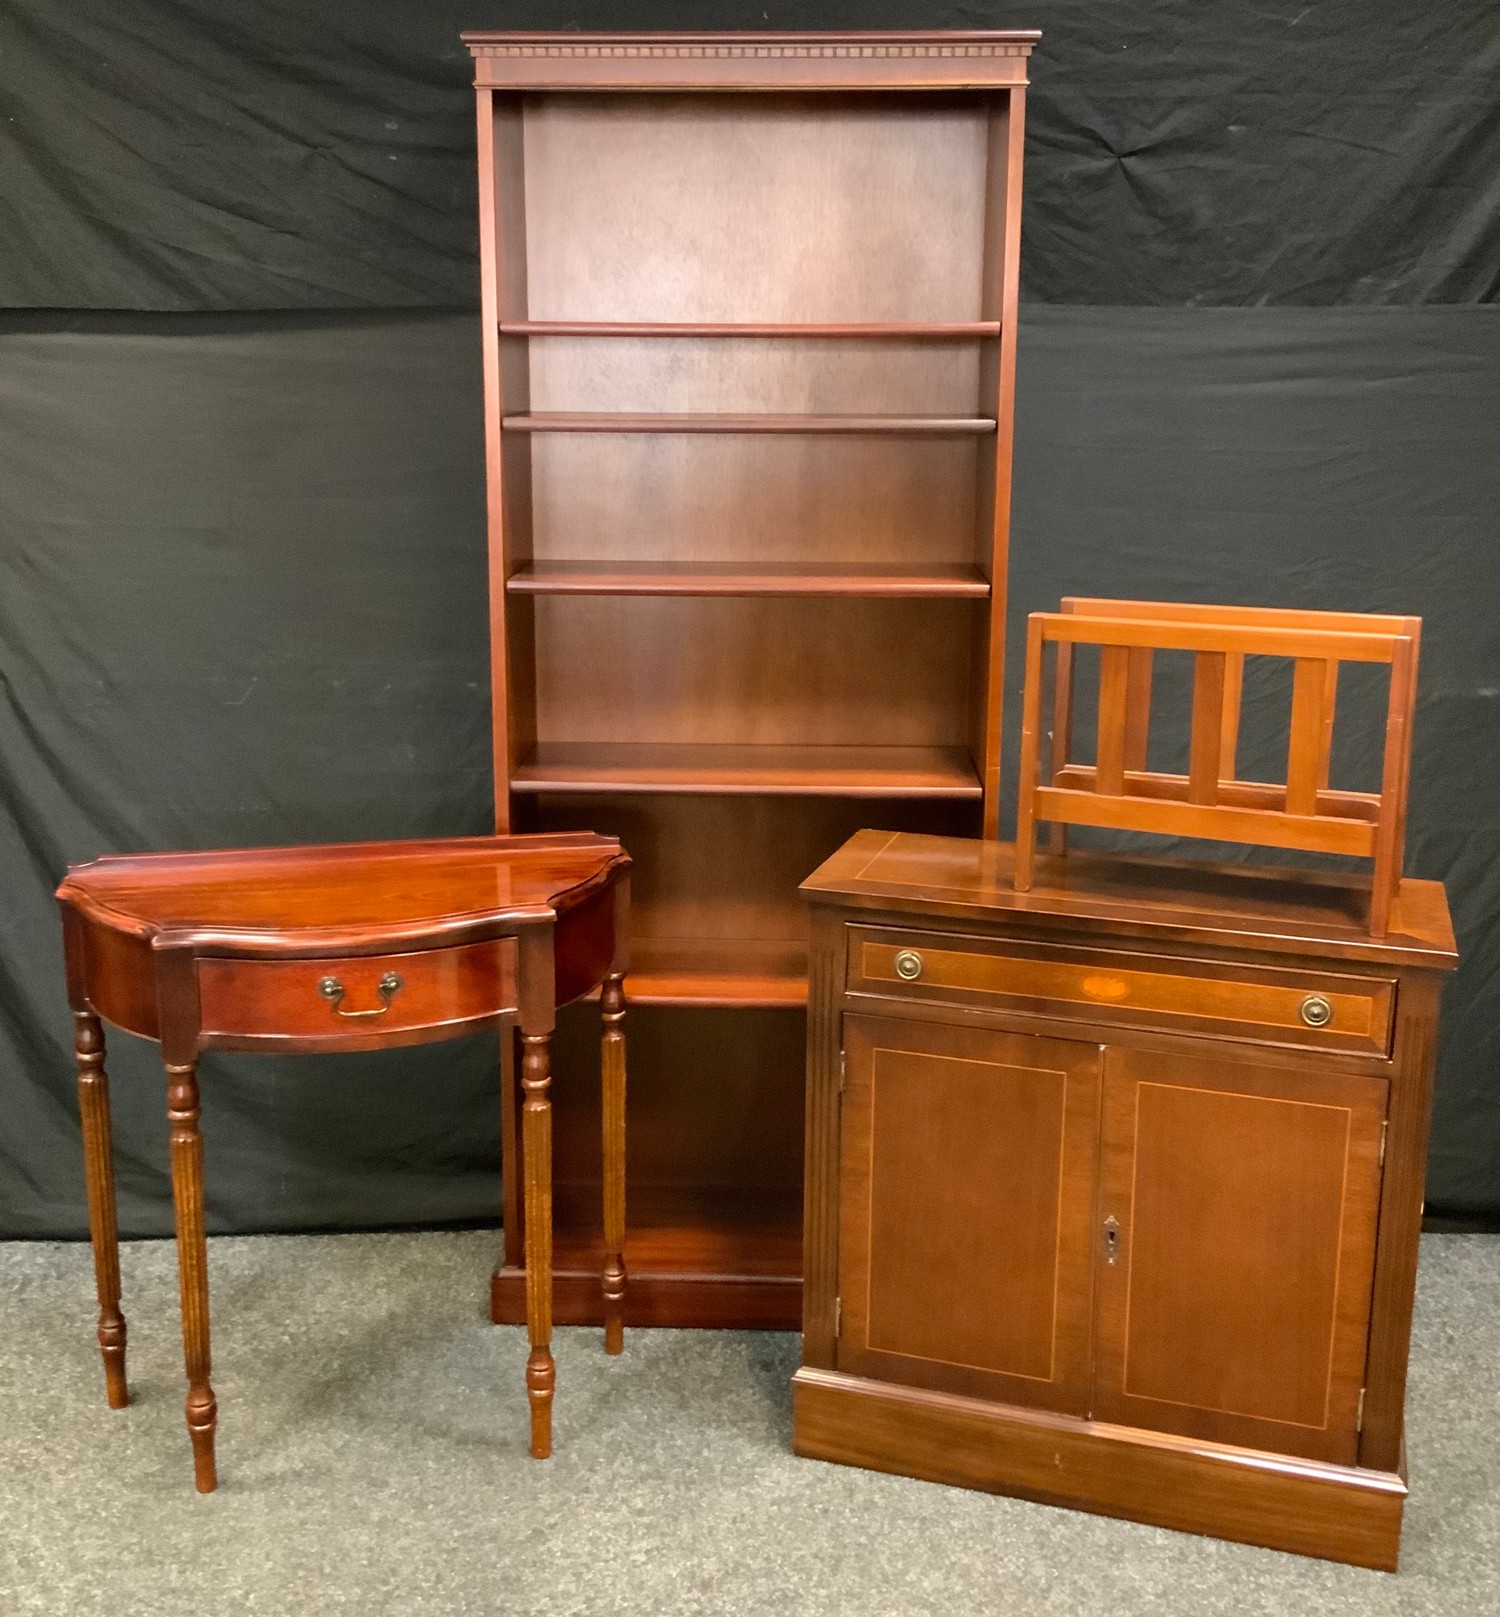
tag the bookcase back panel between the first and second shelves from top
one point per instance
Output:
(825, 376)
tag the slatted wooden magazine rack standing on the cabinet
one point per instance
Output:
(1121, 793)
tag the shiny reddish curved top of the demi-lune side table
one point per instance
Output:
(345, 890)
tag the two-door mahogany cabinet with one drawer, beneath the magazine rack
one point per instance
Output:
(1114, 1188)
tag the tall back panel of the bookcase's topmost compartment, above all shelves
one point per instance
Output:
(754, 208)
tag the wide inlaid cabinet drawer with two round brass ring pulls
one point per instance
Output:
(1127, 989)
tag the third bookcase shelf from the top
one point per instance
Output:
(932, 581)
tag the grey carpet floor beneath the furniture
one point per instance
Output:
(373, 1461)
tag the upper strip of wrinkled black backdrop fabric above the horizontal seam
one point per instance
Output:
(277, 154)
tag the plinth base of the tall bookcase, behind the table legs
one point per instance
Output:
(714, 1302)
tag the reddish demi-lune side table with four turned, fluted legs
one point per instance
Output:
(343, 948)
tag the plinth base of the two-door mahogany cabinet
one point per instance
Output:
(1279, 1503)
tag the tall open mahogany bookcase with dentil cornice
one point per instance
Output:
(749, 345)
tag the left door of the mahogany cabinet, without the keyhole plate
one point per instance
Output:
(967, 1189)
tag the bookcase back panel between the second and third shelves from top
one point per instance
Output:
(770, 499)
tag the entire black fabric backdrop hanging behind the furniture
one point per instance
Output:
(242, 510)
